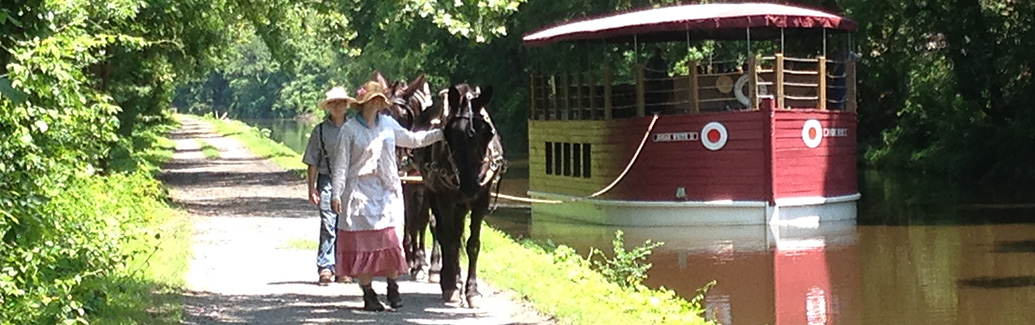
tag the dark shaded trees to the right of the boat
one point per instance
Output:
(944, 87)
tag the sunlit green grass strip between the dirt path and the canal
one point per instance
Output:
(557, 284)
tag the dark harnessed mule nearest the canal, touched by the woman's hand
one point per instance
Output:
(459, 173)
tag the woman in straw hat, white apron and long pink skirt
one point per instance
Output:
(368, 195)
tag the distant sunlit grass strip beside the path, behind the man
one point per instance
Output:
(257, 140)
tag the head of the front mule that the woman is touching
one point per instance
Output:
(468, 131)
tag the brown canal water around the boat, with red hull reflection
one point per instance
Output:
(922, 252)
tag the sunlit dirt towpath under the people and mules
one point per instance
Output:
(247, 214)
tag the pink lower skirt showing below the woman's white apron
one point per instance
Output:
(373, 252)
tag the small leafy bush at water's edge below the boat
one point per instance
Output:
(628, 269)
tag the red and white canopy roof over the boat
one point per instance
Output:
(713, 21)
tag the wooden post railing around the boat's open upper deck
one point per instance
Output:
(791, 83)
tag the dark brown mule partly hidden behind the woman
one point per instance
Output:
(408, 102)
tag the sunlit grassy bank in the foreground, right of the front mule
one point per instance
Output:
(564, 284)
